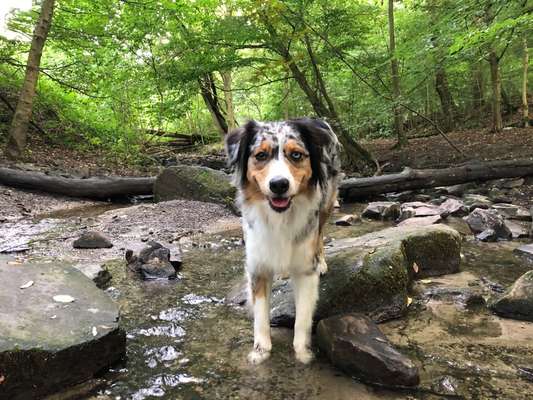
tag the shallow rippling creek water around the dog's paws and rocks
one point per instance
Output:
(185, 342)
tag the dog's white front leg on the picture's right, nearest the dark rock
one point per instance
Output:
(305, 297)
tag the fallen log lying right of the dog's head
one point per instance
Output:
(410, 179)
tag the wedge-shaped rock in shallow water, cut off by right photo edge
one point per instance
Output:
(517, 303)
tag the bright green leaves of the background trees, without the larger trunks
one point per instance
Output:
(112, 71)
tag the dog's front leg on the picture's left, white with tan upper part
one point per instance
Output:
(260, 289)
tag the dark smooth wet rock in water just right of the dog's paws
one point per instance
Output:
(355, 344)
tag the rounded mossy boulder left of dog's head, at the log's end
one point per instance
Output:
(194, 183)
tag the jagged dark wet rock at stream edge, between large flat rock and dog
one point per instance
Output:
(155, 261)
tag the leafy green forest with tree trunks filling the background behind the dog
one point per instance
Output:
(126, 76)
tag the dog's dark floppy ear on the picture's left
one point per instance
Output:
(237, 144)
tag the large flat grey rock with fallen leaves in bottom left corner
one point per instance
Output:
(45, 344)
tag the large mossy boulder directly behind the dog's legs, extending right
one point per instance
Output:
(371, 274)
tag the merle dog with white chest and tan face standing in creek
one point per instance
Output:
(286, 174)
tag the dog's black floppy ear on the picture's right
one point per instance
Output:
(323, 147)
